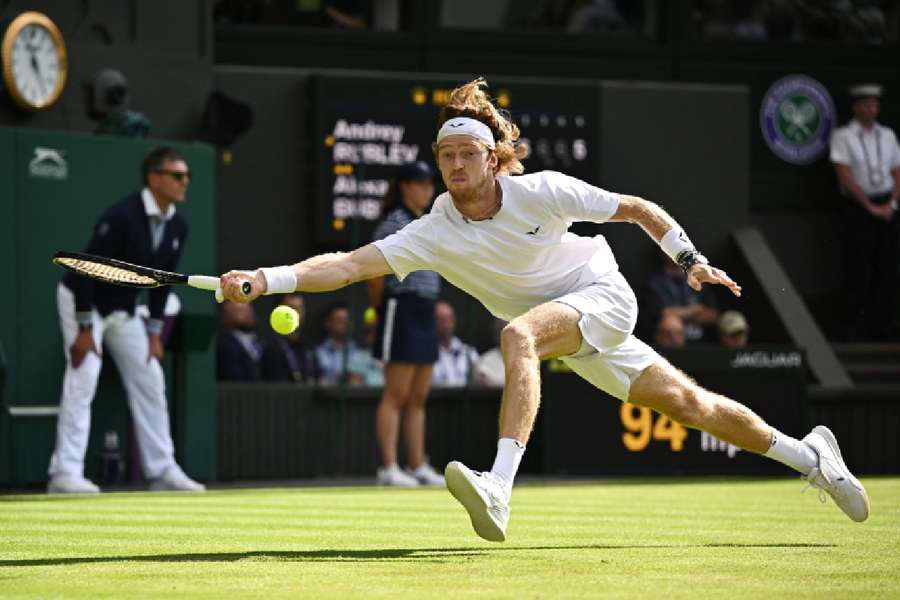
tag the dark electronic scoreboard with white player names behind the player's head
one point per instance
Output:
(367, 125)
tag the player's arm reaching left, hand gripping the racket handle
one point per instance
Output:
(322, 273)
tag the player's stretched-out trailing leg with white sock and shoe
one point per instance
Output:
(817, 457)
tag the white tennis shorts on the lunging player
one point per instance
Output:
(610, 357)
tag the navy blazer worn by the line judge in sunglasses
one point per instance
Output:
(123, 232)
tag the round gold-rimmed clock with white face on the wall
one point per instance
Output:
(34, 61)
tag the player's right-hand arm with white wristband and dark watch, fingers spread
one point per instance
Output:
(666, 232)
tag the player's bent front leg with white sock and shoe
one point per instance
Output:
(546, 331)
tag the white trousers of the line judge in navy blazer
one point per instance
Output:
(126, 339)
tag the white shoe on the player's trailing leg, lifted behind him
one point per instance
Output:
(832, 476)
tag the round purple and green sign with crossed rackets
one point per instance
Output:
(796, 118)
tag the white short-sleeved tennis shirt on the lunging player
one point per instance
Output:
(522, 256)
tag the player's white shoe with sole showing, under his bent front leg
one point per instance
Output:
(484, 498)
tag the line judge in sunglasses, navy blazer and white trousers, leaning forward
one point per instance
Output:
(143, 228)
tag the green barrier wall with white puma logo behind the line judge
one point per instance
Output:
(53, 186)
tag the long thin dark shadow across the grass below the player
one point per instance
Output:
(401, 554)
